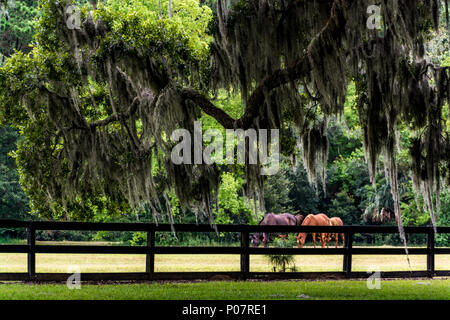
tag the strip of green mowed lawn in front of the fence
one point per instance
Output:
(236, 290)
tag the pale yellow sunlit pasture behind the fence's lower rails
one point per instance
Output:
(16, 262)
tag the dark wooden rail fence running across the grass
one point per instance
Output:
(244, 250)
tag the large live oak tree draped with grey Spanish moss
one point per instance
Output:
(97, 104)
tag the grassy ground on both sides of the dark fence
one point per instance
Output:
(342, 289)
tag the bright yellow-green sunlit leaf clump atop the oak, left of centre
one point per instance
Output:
(136, 27)
